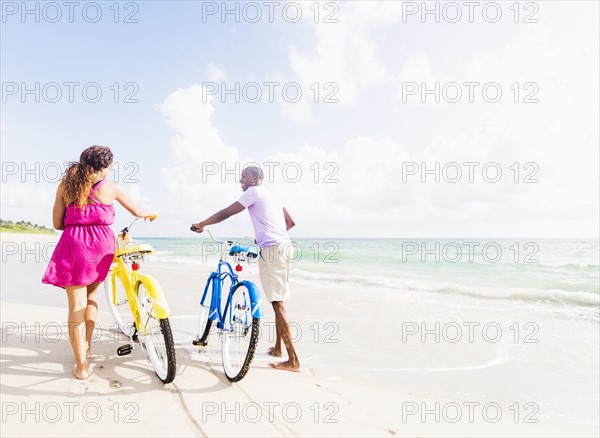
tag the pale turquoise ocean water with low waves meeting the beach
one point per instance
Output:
(564, 272)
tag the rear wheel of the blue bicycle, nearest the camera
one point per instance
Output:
(240, 334)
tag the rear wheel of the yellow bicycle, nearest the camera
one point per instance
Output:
(157, 337)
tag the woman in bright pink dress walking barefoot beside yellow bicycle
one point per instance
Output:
(82, 258)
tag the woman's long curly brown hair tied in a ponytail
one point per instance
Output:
(78, 179)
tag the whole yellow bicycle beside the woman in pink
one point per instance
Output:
(139, 306)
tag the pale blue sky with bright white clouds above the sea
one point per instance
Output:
(363, 142)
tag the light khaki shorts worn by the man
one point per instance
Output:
(274, 270)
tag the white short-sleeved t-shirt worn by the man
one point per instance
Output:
(266, 212)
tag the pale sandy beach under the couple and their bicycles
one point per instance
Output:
(372, 365)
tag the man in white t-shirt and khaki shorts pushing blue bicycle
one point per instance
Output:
(271, 222)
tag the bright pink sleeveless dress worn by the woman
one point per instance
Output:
(86, 247)
